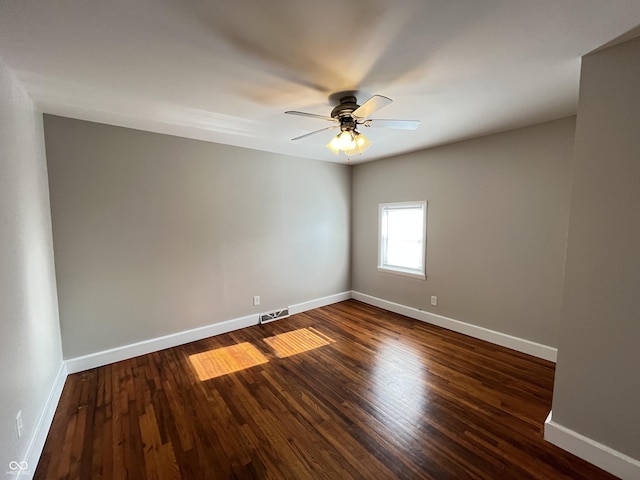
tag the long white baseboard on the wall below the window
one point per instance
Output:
(519, 344)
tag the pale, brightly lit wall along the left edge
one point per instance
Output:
(30, 353)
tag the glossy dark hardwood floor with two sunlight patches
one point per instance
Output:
(374, 395)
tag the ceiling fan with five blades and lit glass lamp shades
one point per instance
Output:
(347, 116)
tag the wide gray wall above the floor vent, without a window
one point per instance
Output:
(155, 234)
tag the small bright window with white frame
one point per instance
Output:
(402, 238)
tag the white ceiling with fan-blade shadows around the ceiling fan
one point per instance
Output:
(225, 71)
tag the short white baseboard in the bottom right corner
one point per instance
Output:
(608, 459)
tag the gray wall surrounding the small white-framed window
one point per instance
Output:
(496, 234)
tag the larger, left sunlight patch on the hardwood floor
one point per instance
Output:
(225, 360)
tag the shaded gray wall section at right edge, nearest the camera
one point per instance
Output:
(597, 387)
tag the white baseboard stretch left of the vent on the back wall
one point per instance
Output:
(105, 357)
